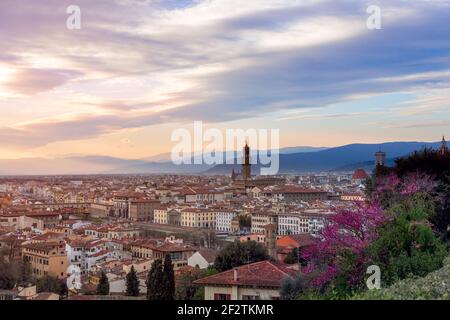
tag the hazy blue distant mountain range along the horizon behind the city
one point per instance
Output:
(292, 160)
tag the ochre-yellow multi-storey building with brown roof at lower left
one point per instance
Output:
(47, 258)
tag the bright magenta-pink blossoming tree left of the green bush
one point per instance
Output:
(338, 257)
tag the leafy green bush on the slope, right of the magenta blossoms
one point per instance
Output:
(408, 246)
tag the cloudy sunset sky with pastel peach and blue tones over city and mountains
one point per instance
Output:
(138, 69)
